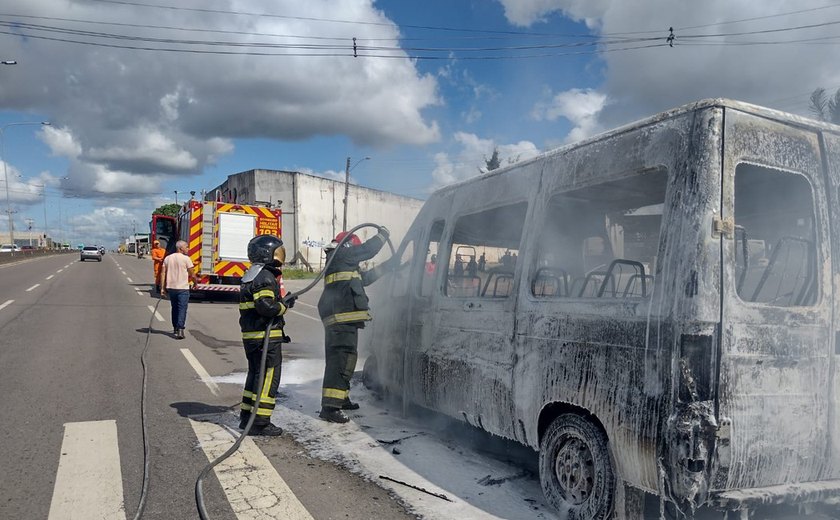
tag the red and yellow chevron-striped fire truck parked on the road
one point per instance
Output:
(217, 235)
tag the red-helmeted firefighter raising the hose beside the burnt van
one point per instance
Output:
(343, 308)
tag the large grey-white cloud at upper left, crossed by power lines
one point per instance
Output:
(125, 114)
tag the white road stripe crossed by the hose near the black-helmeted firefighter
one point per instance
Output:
(253, 487)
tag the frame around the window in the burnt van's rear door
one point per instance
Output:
(819, 244)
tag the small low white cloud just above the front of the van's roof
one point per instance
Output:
(470, 159)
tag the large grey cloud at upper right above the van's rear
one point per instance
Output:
(643, 82)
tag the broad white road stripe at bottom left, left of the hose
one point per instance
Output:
(88, 483)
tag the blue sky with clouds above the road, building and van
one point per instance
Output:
(145, 99)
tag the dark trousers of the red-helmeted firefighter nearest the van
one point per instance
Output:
(341, 351)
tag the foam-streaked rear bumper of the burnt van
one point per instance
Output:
(826, 491)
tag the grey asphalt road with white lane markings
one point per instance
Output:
(71, 338)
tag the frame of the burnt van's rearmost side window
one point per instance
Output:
(533, 268)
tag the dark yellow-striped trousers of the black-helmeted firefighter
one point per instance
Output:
(267, 389)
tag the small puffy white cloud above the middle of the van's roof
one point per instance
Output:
(580, 107)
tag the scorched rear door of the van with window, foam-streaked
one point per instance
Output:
(776, 333)
